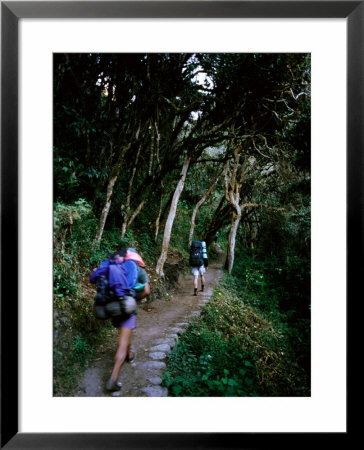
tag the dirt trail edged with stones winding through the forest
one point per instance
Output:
(158, 325)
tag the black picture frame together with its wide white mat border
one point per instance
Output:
(332, 33)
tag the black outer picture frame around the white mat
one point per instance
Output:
(11, 12)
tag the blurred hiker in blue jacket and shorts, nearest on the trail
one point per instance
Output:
(121, 280)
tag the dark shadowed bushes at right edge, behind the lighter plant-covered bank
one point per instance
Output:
(283, 295)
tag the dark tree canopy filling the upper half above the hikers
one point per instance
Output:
(127, 125)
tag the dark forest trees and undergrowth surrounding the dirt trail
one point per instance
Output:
(151, 150)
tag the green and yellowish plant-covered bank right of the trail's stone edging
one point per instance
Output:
(234, 349)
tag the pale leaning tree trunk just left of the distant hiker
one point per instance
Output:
(171, 216)
